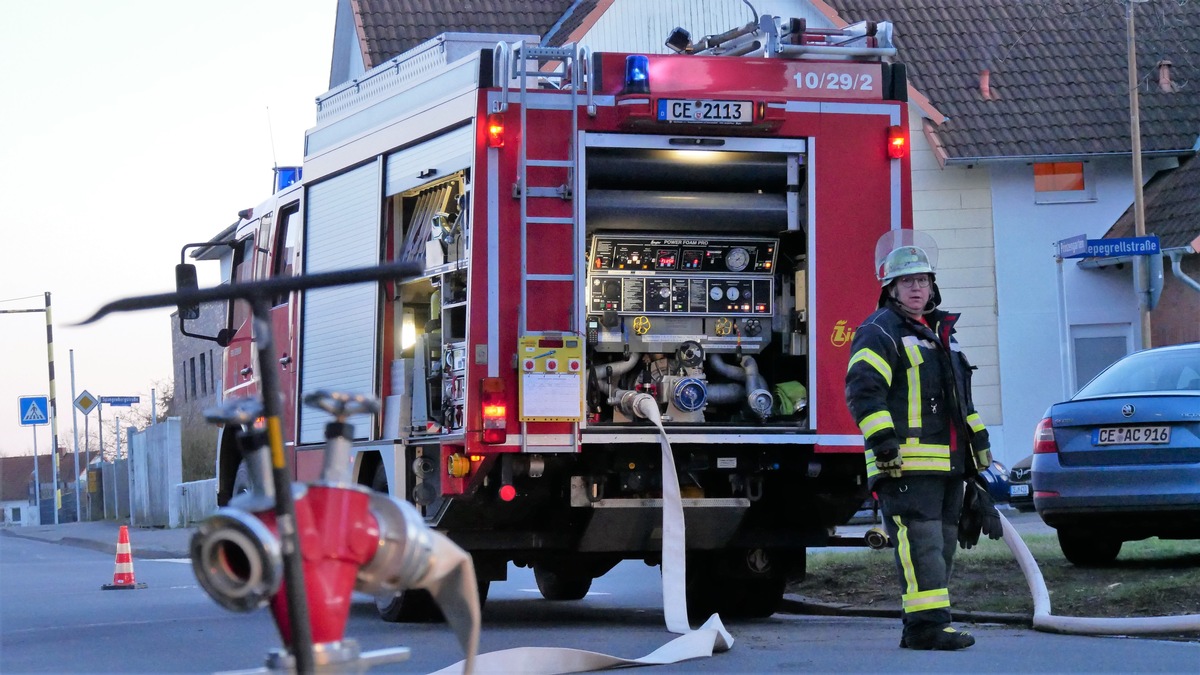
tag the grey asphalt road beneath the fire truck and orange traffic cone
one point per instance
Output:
(56, 619)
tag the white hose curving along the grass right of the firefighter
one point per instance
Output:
(1084, 626)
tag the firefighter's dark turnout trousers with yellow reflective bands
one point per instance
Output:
(922, 518)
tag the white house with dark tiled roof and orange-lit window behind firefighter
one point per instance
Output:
(1022, 129)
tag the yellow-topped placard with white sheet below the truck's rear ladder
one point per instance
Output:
(551, 379)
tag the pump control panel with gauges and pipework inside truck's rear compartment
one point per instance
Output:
(688, 320)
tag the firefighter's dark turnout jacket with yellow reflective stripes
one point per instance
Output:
(909, 387)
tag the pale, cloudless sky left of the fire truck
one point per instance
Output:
(133, 128)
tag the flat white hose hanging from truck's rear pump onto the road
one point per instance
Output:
(704, 642)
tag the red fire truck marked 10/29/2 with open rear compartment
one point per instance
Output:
(619, 252)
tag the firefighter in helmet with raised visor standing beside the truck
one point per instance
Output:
(909, 387)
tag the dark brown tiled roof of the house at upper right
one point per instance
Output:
(1069, 57)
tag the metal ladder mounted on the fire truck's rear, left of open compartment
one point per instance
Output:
(561, 68)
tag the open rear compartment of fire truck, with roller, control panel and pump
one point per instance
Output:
(695, 280)
